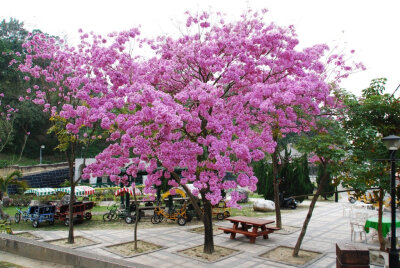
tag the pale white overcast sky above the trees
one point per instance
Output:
(367, 26)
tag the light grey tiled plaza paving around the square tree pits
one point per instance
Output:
(327, 227)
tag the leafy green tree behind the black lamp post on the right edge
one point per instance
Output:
(369, 118)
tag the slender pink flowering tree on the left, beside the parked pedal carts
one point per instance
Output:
(64, 85)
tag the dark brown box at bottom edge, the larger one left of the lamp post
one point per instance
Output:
(352, 256)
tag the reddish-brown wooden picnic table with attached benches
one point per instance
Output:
(250, 227)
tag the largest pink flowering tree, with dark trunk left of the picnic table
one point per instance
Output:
(211, 101)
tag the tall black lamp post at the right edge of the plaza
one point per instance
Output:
(392, 143)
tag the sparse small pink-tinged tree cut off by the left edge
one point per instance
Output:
(7, 116)
